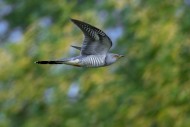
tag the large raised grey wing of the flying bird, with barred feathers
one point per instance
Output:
(96, 42)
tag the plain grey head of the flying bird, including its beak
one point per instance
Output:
(112, 58)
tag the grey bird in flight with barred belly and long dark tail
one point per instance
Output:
(94, 52)
